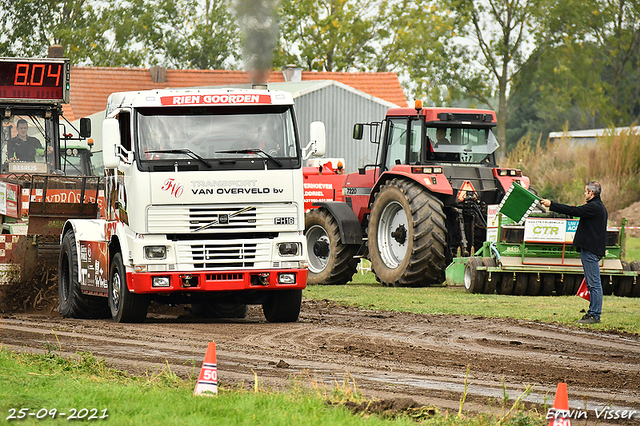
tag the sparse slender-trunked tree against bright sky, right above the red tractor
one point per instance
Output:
(493, 43)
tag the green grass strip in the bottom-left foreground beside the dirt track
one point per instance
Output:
(36, 389)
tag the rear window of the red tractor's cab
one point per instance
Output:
(467, 145)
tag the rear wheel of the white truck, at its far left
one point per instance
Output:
(73, 303)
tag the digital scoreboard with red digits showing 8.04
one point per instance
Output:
(34, 80)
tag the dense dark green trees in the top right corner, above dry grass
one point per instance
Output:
(585, 70)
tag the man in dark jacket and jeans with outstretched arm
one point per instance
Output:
(590, 239)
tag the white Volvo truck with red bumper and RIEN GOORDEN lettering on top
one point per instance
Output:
(203, 206)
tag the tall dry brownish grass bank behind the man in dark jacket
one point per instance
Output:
(560, 170)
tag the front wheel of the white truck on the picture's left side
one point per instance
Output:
(125, 306)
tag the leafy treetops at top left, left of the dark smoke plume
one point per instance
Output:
(183, 34)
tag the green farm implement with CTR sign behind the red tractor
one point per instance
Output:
(529, 252)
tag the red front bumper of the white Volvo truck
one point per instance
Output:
(170, 282)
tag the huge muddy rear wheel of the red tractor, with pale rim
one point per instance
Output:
(407, 235)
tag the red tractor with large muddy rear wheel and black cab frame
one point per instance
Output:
(423, 203)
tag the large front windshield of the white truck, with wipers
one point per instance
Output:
(212, 135)
